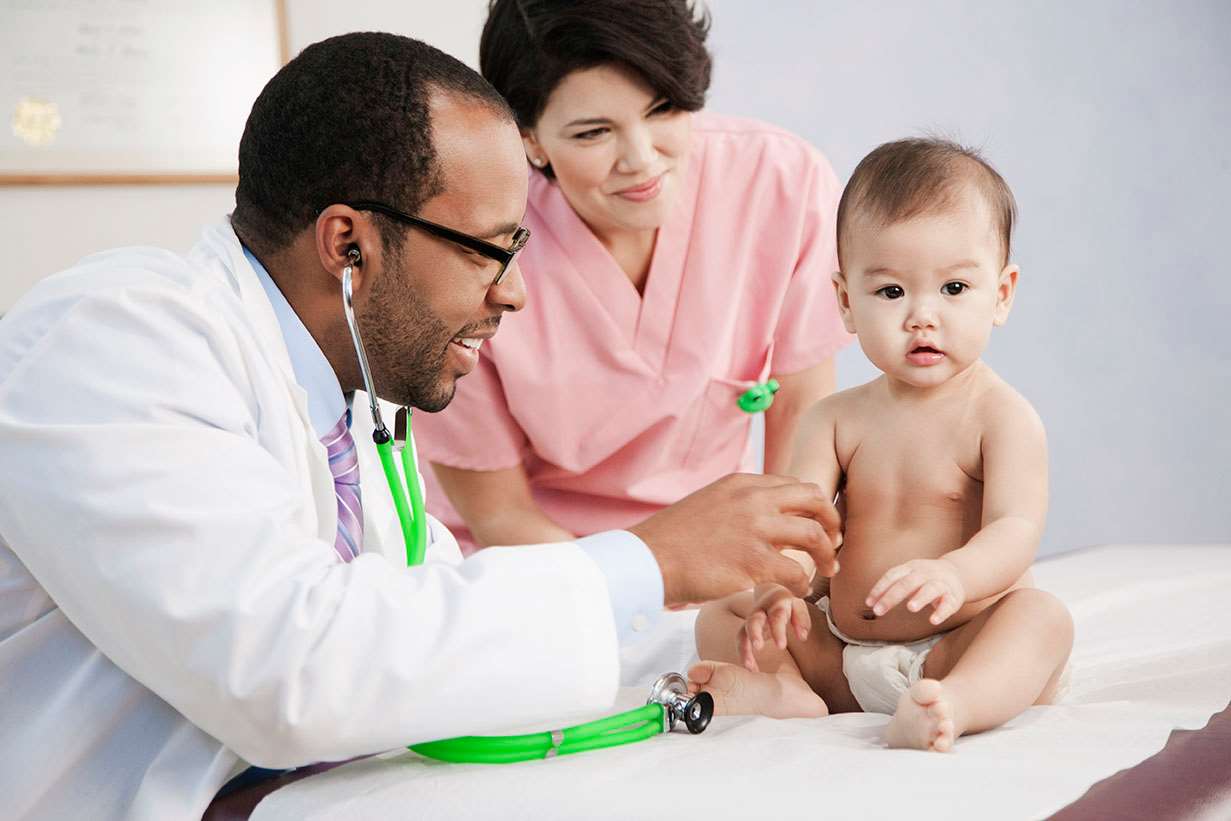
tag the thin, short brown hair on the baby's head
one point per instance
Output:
(914, 178)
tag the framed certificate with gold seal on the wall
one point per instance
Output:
(125, 92)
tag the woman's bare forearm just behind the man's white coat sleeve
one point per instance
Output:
(498, 508)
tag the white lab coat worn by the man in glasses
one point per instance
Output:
(172, 607)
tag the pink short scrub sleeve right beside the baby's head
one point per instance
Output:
(809, 329)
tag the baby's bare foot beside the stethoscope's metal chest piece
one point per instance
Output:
(742, 692)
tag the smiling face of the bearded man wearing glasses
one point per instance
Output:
(434, 305)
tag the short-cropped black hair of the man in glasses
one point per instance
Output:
(348, 119)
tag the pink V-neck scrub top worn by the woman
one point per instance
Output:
(619, 404)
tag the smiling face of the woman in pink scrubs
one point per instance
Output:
(617, 148)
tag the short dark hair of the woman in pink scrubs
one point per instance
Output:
(529, 46)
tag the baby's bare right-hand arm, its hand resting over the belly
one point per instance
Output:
(1015, 460)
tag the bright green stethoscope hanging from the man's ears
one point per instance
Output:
(670, 701)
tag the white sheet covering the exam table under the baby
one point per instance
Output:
(1153, 654)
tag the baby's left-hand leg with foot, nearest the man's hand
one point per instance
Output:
(806, 680)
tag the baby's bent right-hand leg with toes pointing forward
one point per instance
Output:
(987, 671)
